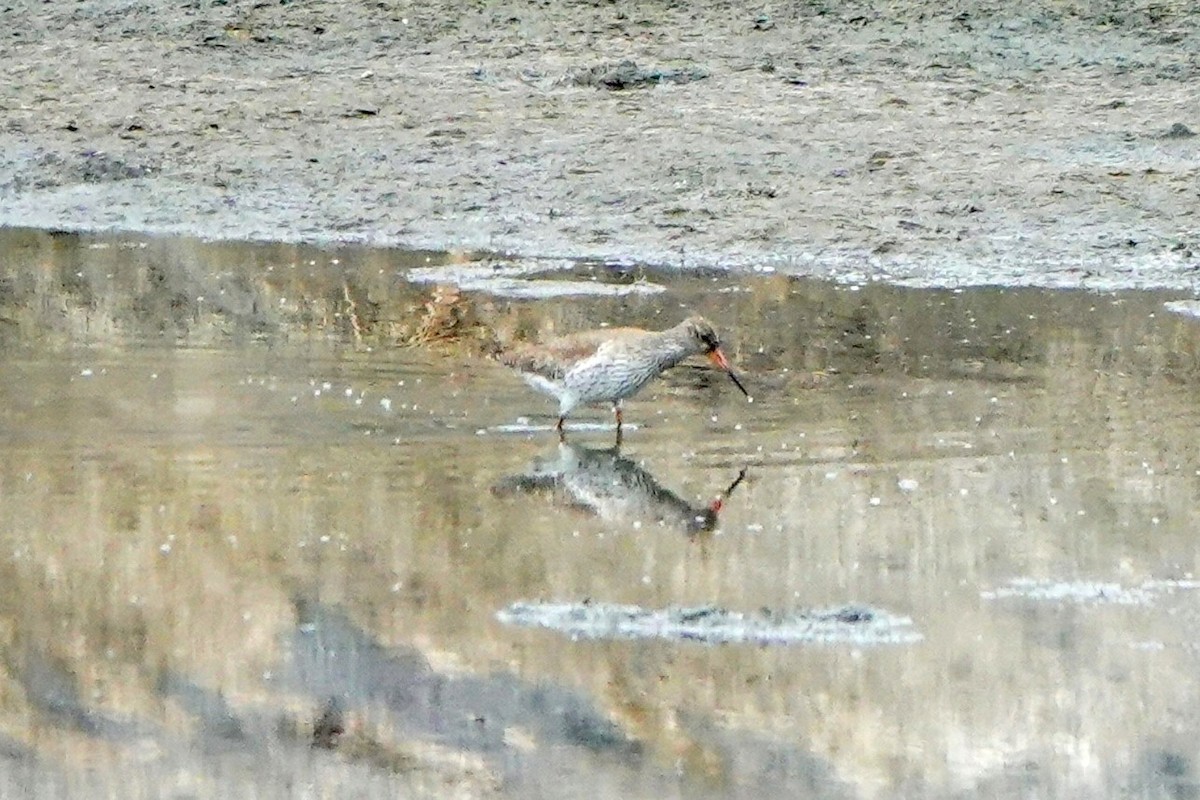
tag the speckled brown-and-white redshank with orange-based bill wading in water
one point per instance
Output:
(611, 364)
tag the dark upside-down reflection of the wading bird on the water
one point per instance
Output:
(614, 489)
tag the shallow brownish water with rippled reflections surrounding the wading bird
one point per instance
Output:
(250, 549)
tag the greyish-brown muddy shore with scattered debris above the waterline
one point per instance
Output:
(921, 143)
